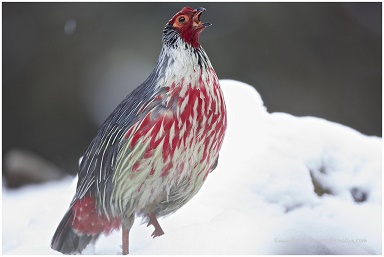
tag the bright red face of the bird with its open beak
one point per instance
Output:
(187, 23)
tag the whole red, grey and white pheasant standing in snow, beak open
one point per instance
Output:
(155, 150)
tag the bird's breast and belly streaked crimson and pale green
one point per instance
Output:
(175, 144)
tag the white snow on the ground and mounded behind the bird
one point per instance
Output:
(260, 200)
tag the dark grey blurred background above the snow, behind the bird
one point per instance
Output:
(66, 66)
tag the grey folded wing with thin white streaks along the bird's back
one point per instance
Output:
(99, 160)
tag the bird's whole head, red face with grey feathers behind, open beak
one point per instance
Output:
(187, 25)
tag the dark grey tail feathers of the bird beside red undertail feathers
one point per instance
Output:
(66, 240)
